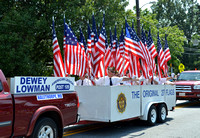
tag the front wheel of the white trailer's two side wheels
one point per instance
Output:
(152, 116)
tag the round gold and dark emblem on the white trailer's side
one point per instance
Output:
(121, 103)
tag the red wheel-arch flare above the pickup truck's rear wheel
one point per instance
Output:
(39, 112)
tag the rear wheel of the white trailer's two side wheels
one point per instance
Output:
(162, 113)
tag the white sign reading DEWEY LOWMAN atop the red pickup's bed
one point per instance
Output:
(24, 85)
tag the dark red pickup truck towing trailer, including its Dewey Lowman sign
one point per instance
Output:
(34, 109)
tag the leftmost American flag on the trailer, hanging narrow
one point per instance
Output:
(57, 58)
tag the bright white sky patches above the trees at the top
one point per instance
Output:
(143, 4)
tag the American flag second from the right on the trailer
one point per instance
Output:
(161, 57)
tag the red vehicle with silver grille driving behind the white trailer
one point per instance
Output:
(188, 85)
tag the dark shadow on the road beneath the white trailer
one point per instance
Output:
(119, 129)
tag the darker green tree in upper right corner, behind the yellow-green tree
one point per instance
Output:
(184, 14)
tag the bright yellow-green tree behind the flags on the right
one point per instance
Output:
(175, 36)
